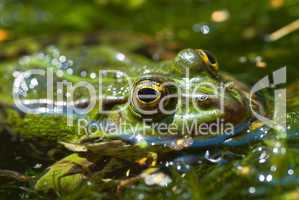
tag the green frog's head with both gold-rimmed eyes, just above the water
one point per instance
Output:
(188, 95)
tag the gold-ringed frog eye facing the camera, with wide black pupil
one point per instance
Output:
(151, 97)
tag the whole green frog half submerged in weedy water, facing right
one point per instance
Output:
(147, 117)
